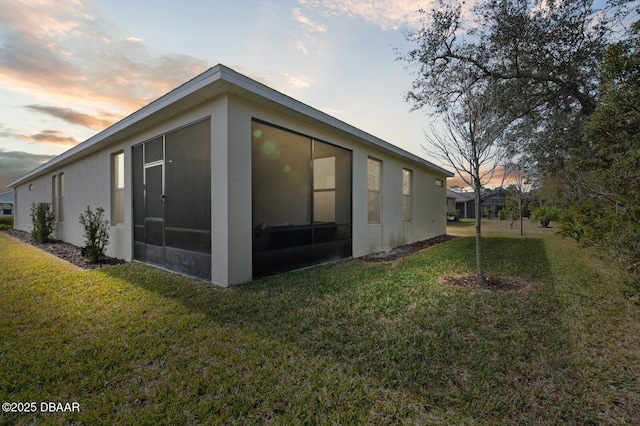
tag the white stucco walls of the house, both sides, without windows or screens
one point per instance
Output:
(88, 182)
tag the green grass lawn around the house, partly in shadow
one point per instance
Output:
(347, 343)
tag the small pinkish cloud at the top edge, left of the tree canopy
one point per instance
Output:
(387, 14)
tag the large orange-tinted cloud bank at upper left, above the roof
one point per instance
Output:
(57, 50)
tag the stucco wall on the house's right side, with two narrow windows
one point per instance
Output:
(429, 205)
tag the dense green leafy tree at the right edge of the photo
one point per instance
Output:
(606, 210)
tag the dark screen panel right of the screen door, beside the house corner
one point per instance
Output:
(188, 199)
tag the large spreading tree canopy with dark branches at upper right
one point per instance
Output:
(541, 56)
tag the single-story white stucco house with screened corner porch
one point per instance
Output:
(227, 180)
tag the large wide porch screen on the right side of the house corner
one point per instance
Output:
(301, 194)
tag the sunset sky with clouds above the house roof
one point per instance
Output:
(70, 68)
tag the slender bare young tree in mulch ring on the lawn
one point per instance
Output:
(470, 145)
